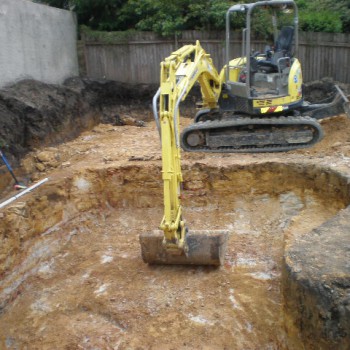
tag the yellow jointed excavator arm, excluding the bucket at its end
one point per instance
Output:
(179, 73)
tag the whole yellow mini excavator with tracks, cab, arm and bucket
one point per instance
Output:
(255, 104)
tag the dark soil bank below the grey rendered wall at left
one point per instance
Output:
(34, 114)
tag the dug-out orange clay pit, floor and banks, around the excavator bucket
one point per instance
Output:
(73, 277)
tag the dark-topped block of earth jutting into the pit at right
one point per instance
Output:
(316, 286)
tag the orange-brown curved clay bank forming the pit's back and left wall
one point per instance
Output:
(141, 187)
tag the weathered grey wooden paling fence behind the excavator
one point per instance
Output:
(137, 59)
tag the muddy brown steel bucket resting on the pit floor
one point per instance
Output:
(201, 248)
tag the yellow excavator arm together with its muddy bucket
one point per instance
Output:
(174, 243)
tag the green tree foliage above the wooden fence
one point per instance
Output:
(171, 17)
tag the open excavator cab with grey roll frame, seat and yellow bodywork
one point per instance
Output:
(269, 74)
